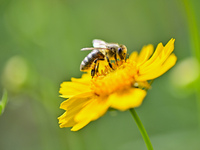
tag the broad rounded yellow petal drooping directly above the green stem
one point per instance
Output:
(127, 99)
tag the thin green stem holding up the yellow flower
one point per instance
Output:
(142, 129)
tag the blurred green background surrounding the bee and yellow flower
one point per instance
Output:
(40, 42)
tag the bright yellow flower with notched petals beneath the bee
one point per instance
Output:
(121, 88)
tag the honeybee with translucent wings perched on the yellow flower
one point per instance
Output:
(102, 51)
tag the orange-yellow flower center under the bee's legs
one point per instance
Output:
(112, 80)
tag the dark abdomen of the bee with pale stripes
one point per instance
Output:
(89, 59)
